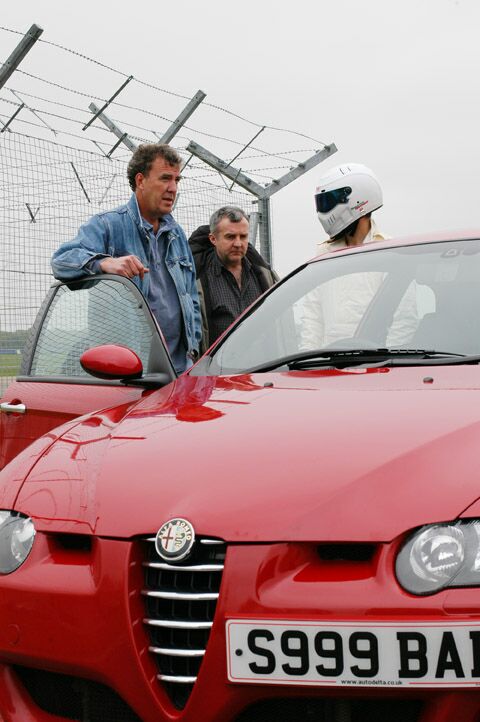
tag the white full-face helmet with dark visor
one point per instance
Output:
(345, 194)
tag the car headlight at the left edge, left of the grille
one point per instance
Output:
(16, 540)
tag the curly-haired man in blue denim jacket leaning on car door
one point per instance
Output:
(142, 241)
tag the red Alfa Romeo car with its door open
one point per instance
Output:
(290, 531)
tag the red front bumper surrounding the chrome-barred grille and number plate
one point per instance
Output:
(73, 619)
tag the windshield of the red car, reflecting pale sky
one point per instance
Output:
(421, 300)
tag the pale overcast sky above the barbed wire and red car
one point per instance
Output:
(393, 84)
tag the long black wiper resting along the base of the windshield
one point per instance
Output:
(343, 358)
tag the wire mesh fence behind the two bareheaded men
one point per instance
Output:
(46, 192)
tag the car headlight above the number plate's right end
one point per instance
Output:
(439, 556)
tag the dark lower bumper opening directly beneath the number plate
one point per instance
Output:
(326, 710)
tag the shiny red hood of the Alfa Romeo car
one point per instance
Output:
(357, 455)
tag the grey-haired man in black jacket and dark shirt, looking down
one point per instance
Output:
(231, 274)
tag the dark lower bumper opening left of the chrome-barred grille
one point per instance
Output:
(74, 698)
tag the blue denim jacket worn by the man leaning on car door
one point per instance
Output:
(120, 233)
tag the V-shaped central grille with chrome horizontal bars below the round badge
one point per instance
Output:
(180, 604)
